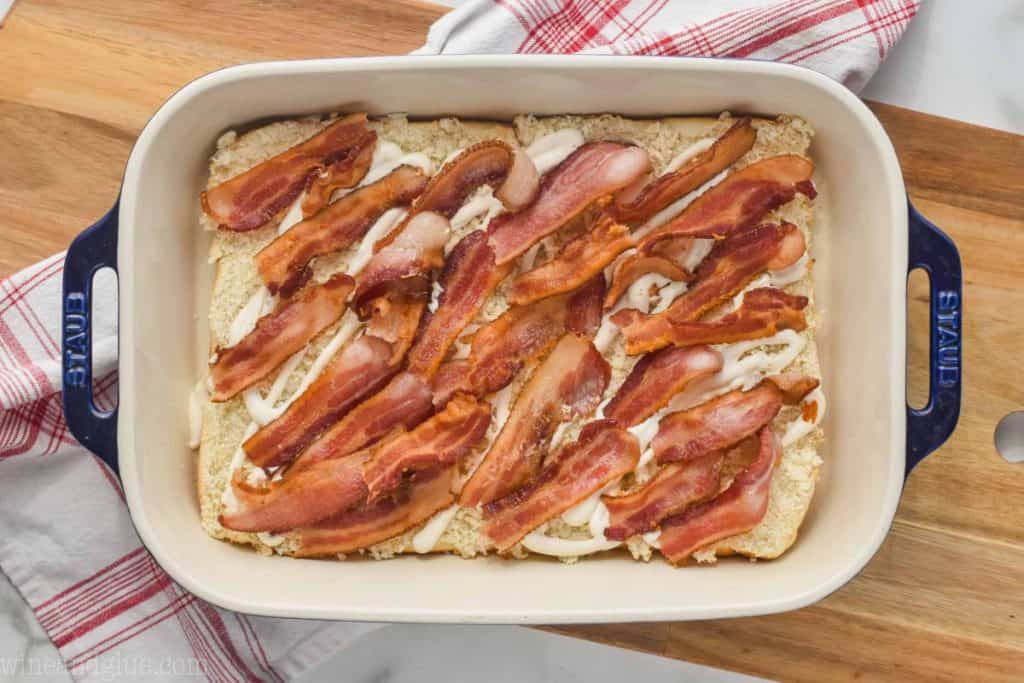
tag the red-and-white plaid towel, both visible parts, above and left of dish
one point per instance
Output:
(66, 540)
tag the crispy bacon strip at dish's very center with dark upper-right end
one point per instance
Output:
(501, 349)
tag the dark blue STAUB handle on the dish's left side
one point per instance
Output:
(95, 249)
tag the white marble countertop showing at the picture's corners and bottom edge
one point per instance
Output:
(959, 61)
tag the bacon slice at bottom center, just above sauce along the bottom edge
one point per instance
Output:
(603, 454)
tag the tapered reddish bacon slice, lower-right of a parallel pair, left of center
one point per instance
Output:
(403, 404)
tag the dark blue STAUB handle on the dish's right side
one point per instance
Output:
(932, 250)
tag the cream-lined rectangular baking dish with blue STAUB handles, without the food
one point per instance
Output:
(867, 240)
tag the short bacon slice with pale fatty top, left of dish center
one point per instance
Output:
(403, 269)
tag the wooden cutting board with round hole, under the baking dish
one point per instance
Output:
(945, 597)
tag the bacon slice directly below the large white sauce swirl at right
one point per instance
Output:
(717, 424)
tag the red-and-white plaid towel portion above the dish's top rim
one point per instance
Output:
(844, 39)
